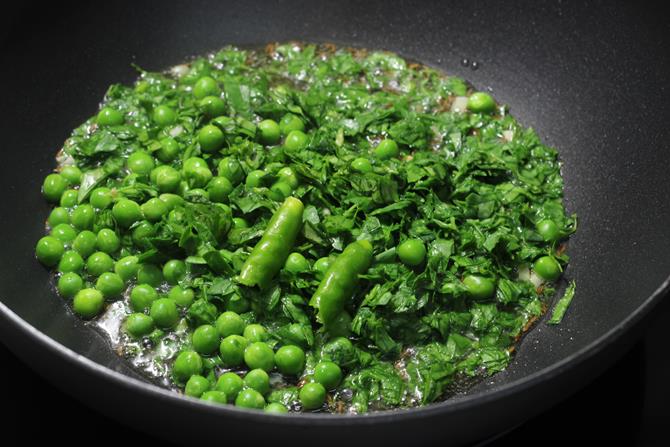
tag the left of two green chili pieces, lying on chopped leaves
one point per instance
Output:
(270, 253)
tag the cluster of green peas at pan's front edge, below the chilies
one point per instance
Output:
(240, 345)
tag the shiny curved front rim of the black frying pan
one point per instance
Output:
(448, 406)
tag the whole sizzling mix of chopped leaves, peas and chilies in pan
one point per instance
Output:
(257, 212)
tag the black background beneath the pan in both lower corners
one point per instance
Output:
(626, 406)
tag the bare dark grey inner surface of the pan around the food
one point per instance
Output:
(597, 99)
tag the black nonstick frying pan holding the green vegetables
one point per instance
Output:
(591, 79)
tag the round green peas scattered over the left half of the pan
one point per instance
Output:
(94, 267)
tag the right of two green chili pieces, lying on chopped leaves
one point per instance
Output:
(340, 280)
